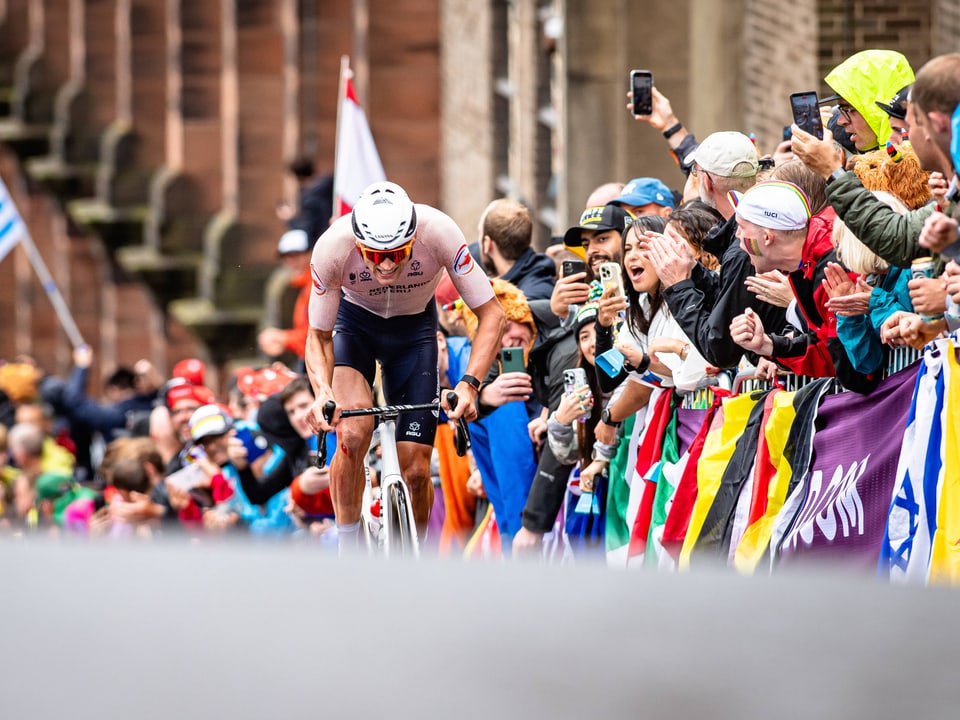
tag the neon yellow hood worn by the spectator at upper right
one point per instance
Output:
(868, 76)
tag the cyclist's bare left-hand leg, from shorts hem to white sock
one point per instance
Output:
(347, 477)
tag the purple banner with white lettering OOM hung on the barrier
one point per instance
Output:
(846, 501)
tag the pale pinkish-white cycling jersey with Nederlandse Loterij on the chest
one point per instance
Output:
(337, 266)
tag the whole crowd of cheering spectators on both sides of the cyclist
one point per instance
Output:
(798, 261)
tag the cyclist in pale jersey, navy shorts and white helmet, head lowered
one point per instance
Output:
(374, 275)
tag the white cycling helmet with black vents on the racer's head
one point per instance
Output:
(384, 218)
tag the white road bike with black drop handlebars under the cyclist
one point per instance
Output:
(398, 531)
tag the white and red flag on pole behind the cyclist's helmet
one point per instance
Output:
(357, 162)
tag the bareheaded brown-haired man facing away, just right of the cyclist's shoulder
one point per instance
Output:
(506, 232)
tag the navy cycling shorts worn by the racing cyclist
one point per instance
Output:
(406, 347)
